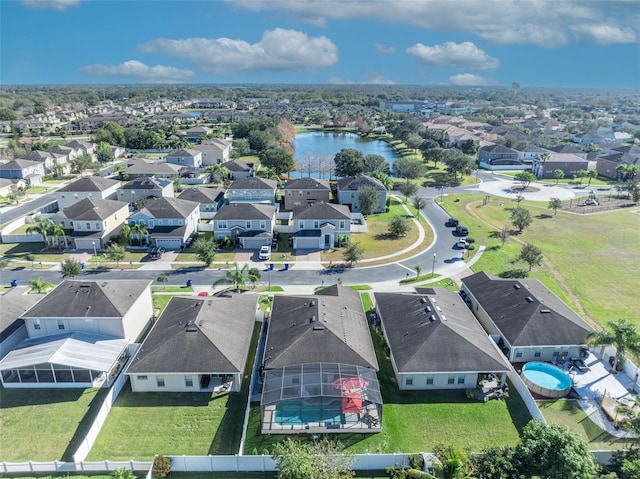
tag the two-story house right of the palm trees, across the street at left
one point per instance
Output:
(169, 221)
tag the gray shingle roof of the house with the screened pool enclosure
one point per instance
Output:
(339, 333)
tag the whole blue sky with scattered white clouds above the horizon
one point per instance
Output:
(548, 43)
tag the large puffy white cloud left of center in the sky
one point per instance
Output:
(278, 50)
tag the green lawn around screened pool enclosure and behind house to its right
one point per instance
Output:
(417, 420)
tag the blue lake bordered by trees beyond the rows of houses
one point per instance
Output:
(315, 150)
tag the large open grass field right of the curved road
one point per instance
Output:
(591, 259)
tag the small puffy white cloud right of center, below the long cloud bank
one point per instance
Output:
(460, 55)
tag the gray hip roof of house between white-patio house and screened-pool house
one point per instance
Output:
(208, 335)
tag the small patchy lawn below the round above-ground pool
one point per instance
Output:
(568, 413)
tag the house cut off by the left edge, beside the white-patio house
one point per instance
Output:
(15, 302)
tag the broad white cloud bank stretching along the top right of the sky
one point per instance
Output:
(545, 23)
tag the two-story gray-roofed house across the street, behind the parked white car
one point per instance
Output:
(249, 225)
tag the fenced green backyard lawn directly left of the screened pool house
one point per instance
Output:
(141, 425)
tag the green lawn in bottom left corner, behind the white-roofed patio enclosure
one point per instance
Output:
(46, 424)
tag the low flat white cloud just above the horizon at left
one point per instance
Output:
(140, 72)
